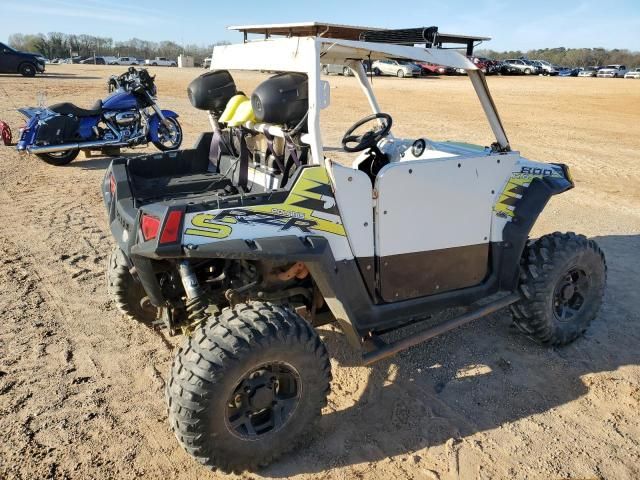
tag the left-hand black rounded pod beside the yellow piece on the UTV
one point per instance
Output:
(212, 91)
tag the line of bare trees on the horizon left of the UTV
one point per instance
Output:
(62, 45)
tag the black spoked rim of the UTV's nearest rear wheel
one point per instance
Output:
(263, 401)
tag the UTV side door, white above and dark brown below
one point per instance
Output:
(433, 223)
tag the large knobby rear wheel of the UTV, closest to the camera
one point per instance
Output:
(225, 369)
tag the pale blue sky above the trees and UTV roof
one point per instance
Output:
(512, 25)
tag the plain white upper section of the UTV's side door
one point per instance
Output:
(438, 203)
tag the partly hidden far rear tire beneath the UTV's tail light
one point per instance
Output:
(126, 292)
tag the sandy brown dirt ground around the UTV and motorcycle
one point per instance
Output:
(81, 386)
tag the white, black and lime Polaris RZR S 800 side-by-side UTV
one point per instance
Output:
(252, 239)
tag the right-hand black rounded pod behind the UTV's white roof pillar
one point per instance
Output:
(282, 99)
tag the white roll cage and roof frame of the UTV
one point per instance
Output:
(304, 49)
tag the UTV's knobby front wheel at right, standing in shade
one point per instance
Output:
(562, 280)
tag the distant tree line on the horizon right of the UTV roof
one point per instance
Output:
(571, 57)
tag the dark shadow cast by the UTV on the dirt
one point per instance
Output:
(430, 399)
